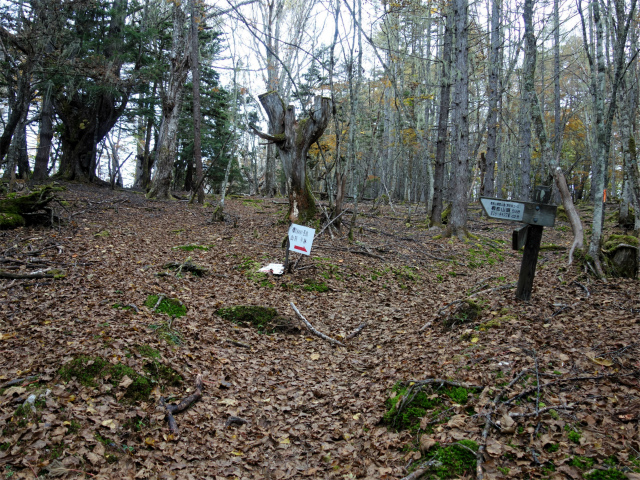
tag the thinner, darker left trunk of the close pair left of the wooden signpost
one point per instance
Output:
(443, 118)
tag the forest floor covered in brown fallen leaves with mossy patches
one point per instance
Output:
(549, 388)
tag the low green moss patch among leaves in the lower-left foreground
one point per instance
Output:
(90, 370)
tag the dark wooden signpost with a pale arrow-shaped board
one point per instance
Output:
(536, 215)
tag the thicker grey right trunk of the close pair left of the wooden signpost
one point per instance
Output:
(460, 133)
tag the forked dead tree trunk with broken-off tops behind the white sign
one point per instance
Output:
(293, 138)
